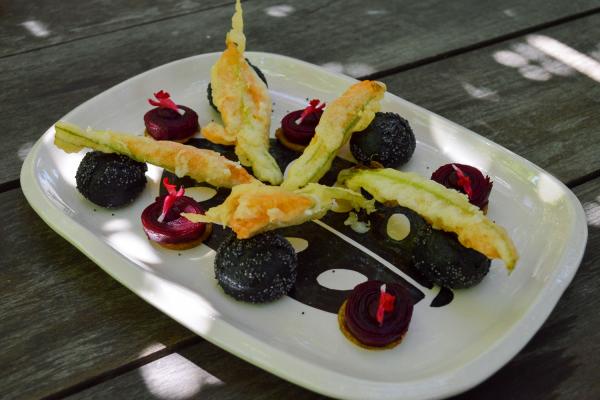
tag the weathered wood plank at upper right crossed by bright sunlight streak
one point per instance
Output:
(541, 106)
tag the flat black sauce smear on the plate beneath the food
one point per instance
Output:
(325, 250)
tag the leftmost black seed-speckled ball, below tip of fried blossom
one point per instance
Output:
(110, 180)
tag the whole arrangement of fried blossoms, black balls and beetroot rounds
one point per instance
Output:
(435, 229)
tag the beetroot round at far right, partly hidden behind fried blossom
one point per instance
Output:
(465, 179)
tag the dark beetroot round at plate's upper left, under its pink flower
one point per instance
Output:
(167, 124)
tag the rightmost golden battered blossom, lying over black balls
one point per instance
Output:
(443, 208)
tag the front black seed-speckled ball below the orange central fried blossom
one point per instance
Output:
(256, 270)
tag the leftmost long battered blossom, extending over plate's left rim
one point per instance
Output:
(200, 164)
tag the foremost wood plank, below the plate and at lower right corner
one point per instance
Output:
(560, 362)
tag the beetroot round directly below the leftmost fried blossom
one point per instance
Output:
(174, 228)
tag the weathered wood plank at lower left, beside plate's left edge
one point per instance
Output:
(62, 319)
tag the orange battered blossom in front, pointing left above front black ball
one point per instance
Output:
(254, 208)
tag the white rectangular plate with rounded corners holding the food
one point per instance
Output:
(447, 350)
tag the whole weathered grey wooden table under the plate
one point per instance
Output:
(524, 74)
